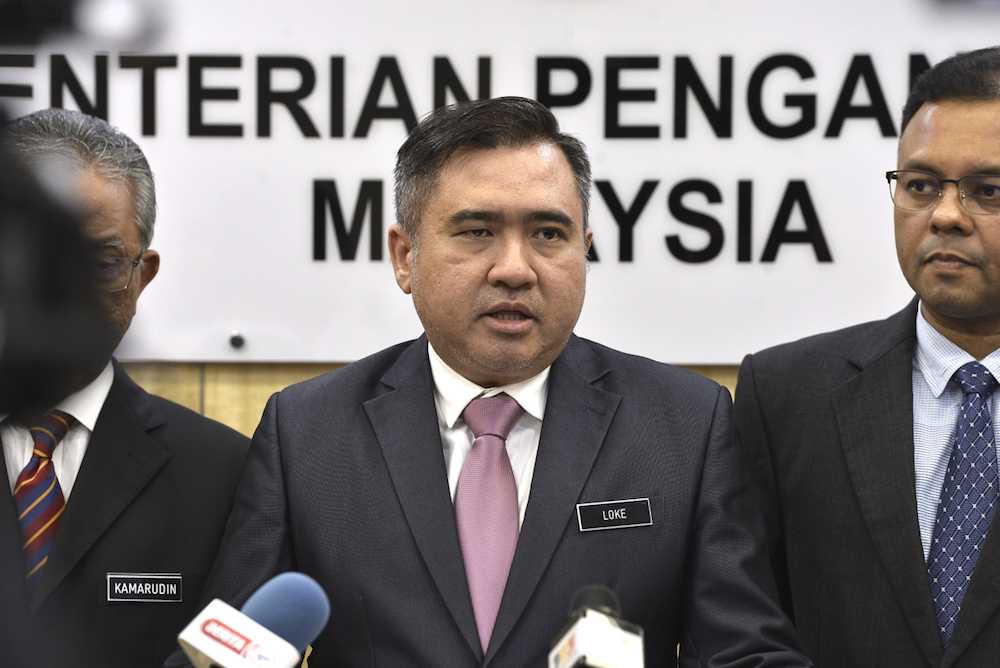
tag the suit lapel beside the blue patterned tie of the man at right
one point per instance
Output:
(874, 411)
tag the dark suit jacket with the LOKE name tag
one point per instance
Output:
(346, 482)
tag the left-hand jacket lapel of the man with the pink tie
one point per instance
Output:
(405, 424)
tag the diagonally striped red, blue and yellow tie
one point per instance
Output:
(38, 495)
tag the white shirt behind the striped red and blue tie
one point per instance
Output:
(85, 406)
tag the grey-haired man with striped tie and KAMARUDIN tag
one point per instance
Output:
(118, 498)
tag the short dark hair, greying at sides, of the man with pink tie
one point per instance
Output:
(503, 122)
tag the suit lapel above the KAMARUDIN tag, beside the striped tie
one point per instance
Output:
(121, 459)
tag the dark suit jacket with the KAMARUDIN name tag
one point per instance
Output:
(152, 496)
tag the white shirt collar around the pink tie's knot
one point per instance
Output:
(453, 391)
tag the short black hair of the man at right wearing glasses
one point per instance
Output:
(966, 77)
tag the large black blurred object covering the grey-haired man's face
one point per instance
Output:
(51, 329)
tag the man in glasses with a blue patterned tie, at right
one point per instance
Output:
(874, 447)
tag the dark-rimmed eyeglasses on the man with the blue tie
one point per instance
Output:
(918, 191)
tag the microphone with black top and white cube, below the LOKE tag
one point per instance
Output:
(595, 636)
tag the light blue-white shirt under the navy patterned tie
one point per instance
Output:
(936, 407)
